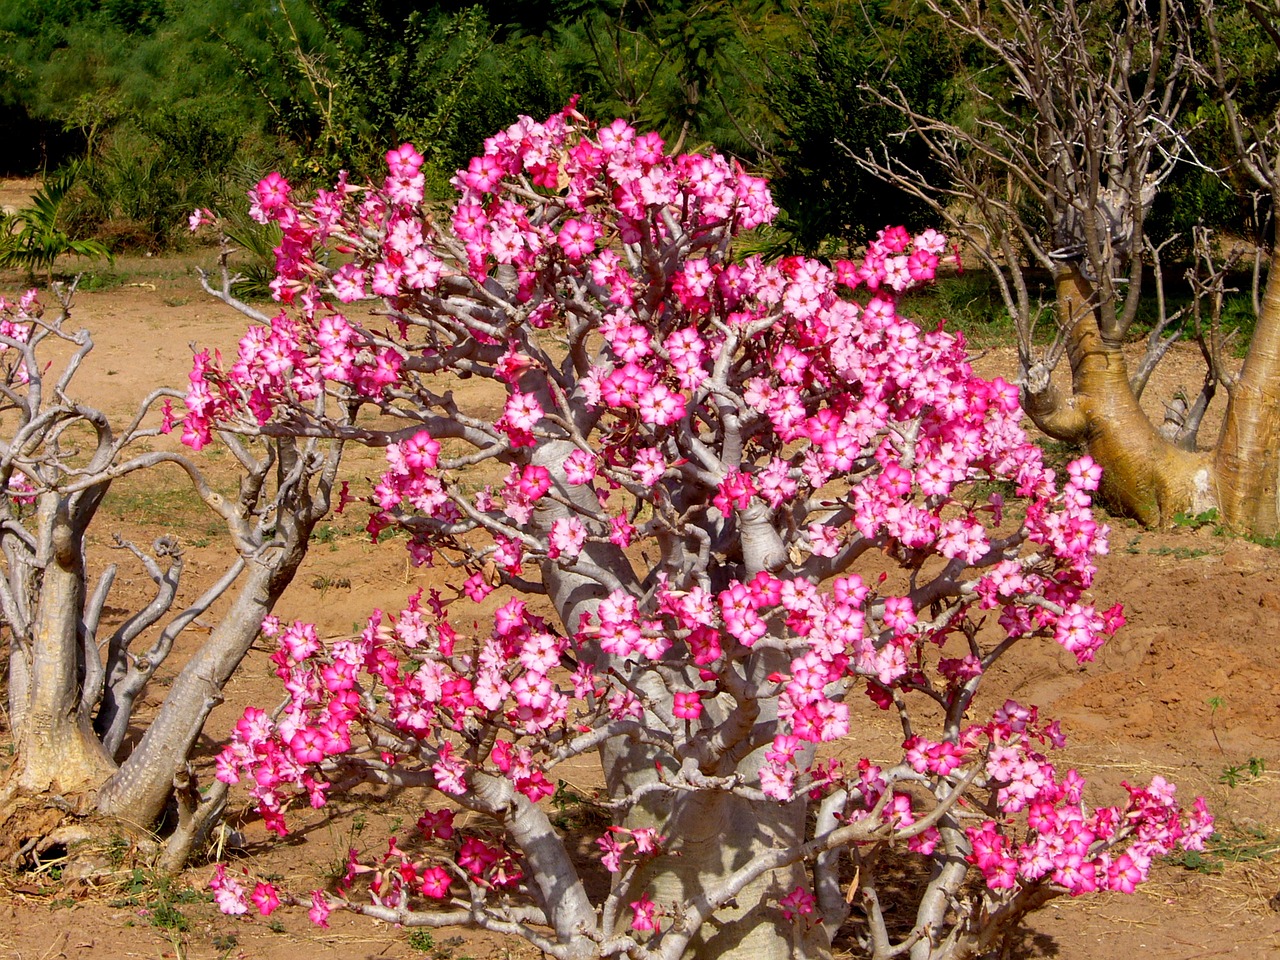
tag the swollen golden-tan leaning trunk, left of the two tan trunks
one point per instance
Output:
(1144, 476)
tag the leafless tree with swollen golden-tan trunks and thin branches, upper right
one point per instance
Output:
(1058, 173)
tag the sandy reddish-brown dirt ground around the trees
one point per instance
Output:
(1190, 689)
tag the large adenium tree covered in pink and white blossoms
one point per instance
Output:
(734, 500)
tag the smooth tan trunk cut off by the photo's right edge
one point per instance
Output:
(1247, 461)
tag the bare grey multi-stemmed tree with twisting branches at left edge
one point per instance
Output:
(74, 684)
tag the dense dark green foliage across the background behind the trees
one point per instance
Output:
(167, 106)
